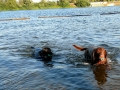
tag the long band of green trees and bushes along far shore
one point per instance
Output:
(30, 5)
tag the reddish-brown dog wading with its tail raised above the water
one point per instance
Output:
(95, 56)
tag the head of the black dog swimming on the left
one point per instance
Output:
(46, 54)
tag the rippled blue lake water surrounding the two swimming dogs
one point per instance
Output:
(20, 71)
